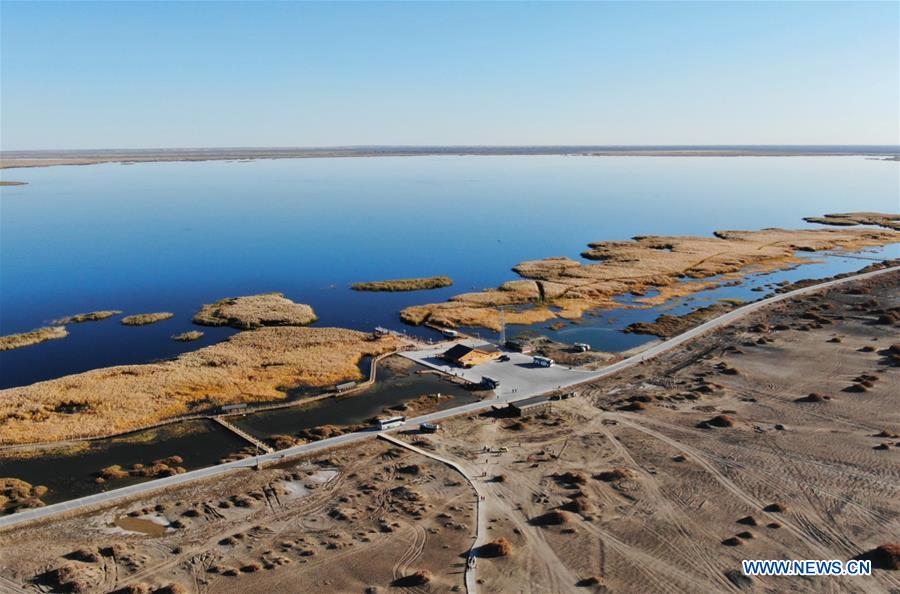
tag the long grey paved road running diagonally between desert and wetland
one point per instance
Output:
(132, 491)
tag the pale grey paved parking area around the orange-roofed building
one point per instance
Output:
(518, 376)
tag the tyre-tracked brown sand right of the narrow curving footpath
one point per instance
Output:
(651, 496)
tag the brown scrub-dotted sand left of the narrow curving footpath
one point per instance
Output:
(361, 517)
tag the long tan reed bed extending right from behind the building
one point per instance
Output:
(636, 266)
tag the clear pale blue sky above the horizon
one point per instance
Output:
(147, 74)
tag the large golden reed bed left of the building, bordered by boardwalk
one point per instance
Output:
(250, 366)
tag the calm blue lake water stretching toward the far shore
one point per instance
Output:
(170, 236)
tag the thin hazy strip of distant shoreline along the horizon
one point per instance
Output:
(19, 159)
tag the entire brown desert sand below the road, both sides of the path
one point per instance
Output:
(660, 479)
